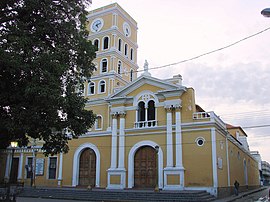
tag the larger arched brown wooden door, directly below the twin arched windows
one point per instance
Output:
(145, 168)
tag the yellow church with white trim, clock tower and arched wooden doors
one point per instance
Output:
(149, 132)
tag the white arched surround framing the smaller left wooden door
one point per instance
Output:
(76, 163)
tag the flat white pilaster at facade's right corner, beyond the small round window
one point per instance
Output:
(214, 157)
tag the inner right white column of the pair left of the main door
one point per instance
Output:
(121, 159)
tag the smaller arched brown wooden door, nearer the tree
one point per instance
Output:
(87, 168)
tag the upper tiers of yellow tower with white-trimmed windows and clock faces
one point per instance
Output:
(114, 32)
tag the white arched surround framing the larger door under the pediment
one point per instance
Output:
(131, 156)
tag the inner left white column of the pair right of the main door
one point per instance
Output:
(169, 138)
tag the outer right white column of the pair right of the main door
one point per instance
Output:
(178, 139)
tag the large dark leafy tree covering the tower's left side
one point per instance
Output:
(44, 59)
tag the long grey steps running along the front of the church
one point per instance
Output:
(115, 195)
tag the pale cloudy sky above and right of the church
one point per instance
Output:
(233, 82)
